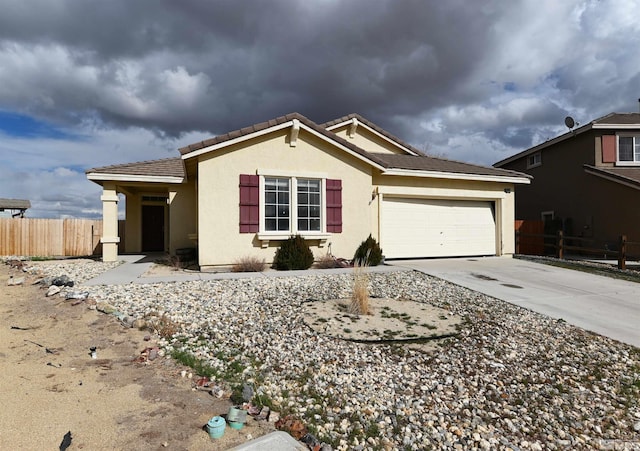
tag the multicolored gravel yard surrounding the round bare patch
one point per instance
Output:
(513, 379)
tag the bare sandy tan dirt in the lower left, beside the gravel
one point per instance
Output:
(50, 385)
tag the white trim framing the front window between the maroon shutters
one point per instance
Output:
(265, 236)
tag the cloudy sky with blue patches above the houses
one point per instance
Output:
(87, 83)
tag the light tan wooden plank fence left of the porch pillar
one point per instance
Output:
(50, 237)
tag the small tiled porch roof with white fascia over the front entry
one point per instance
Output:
(171, 170)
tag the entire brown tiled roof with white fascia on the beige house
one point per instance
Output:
(415, 164)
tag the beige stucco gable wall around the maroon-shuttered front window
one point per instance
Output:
(219, 239)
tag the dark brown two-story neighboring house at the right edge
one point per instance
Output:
(587, 180)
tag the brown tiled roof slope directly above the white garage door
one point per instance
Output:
(426, 163)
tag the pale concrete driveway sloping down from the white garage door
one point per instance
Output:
(600, 304)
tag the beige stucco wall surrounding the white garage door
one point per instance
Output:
(432, 188)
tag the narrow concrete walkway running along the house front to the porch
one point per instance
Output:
(135, 266)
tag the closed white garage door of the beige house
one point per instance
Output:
(413, 228)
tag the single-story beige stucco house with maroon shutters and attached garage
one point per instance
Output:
(242, 193)
